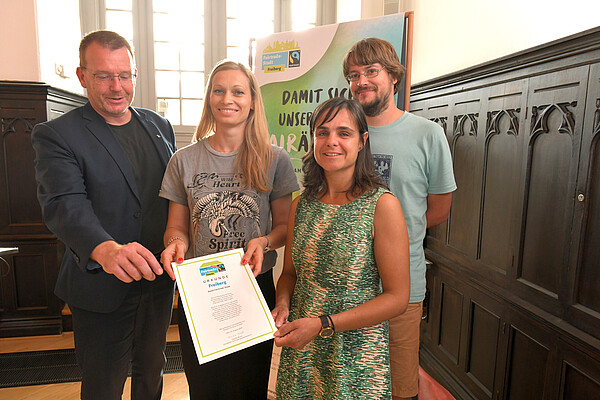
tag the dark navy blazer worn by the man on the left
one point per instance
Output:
(88, 194)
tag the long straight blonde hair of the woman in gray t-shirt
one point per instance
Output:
(255, 154)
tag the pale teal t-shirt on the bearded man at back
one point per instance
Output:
(413, 157)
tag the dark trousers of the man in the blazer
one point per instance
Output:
(106, 343)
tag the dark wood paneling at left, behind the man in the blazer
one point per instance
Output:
(28, 304)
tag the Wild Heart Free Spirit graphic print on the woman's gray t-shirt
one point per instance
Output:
(223, 220)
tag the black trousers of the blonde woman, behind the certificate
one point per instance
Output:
(243, 375)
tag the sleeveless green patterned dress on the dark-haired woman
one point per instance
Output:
(336, 271)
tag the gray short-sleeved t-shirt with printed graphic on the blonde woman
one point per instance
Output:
(224, 215)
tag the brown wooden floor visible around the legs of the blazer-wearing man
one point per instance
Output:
(175, 385)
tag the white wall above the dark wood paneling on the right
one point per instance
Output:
(453, 35)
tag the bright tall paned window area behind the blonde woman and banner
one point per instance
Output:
(177, 42)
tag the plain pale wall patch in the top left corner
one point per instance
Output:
(19, 41)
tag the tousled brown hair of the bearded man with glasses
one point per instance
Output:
(374, 50)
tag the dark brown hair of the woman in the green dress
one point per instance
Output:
(365, 177)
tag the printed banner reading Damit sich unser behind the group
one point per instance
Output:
(299, 70)
